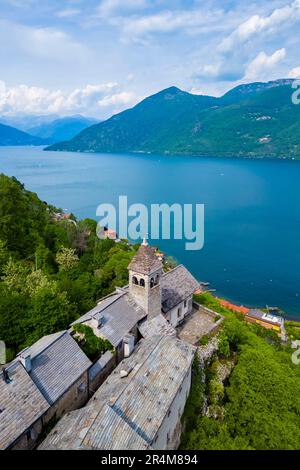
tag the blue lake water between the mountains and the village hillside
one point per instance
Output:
(252, 211)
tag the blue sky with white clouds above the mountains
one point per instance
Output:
(99, 57)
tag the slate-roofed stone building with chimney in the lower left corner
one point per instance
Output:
(44, 381)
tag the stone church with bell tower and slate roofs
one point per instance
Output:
(152, 298)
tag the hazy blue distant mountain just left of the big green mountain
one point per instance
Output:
(61, 129)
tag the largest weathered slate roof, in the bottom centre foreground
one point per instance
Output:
(126, 413)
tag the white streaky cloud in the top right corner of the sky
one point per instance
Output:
(257, 24)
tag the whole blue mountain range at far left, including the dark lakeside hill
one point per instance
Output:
(41, 130)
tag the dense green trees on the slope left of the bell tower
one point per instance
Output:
(50, 272)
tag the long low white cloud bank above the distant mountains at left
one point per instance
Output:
(88, 100)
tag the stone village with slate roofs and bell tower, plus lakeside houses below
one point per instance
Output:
(131, 397)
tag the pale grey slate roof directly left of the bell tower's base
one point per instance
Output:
(120, 314)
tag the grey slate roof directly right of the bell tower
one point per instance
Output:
(177, 285)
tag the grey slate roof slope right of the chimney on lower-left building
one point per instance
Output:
(57, 362)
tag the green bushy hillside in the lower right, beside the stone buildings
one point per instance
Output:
(257, 406)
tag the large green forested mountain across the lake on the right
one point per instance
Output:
(252, 120)
